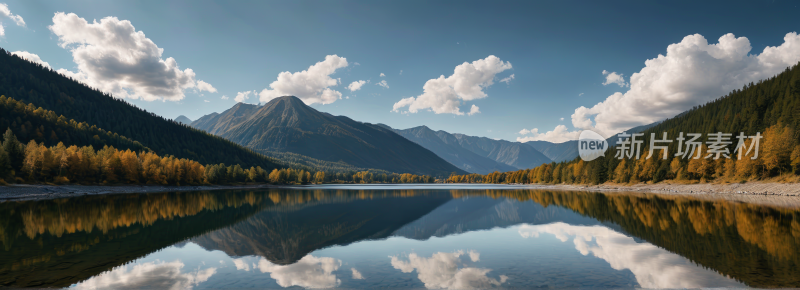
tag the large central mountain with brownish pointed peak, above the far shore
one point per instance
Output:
(286, 124)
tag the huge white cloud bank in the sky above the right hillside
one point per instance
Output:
(692, 72)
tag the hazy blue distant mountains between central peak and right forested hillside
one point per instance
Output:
(476, 154)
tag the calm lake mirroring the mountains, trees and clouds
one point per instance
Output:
(397, 236)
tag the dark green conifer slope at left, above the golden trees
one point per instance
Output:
(32, 83)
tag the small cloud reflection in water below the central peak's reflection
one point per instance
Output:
(308, 272)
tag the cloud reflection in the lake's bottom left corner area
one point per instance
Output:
(152, 275)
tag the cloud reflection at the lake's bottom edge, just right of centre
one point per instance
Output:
(441, 271)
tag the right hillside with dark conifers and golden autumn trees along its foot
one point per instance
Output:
(769, 108)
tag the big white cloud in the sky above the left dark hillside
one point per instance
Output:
(115, 58)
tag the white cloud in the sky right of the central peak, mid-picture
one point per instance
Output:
(444, 94)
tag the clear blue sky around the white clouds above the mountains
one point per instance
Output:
(557, 51)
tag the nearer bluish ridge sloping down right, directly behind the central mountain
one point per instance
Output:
(452, 152)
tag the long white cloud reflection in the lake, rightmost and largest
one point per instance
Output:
(652, 266)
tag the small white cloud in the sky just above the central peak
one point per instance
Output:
(311, 86)
